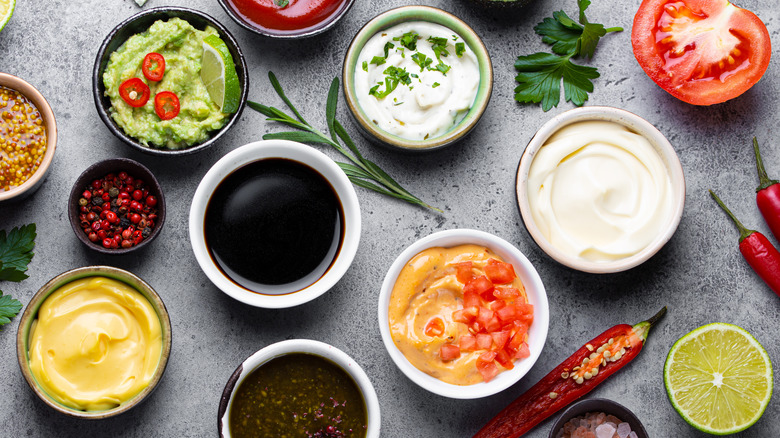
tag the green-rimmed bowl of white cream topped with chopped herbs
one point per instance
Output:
(417, 78)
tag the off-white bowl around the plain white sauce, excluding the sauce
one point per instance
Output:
(634, 123)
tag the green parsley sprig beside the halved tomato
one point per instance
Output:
(540, 74)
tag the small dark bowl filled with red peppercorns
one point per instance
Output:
(116, 206)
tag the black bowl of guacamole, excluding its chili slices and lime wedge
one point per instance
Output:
(177, 34)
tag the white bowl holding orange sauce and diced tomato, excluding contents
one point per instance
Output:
(537, 334)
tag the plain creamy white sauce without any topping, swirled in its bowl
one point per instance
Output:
(599, 192)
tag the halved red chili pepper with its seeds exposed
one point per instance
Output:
(573, 378)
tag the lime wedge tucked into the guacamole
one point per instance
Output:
(219, 74)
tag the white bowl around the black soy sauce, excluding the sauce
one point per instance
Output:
(293, 151)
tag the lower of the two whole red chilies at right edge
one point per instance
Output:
(757, 250)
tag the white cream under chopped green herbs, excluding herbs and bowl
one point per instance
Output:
(420, 110)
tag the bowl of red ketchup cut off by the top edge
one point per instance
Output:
(286, 18)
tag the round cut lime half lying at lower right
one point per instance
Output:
(719, 378)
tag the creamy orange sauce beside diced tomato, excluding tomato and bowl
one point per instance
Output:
(427, 287)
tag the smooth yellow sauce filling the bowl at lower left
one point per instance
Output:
(96, 344)
